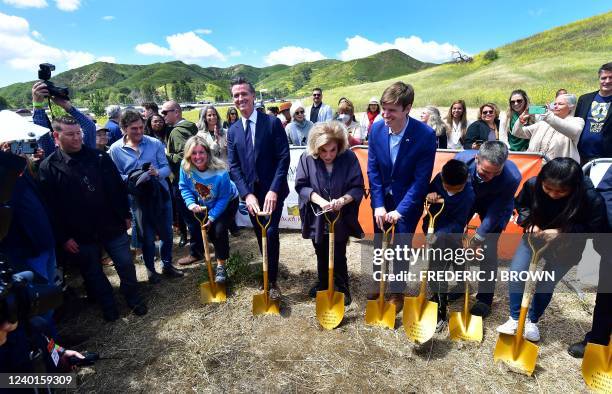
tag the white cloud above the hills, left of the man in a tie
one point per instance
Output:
(183, 46)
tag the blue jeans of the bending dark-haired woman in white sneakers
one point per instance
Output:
(558, 264)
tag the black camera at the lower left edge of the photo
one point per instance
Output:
(20, 299)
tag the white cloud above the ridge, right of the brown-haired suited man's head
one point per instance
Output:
(430, 51)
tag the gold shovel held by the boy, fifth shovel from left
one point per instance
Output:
(420, 315)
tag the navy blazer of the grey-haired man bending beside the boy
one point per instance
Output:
(494, 199)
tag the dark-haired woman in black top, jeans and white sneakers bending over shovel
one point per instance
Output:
(558, 202)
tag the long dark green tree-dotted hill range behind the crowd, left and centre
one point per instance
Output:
(98, 84)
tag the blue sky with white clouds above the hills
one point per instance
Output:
(72, 33)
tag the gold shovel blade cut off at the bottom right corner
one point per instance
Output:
(597, 367)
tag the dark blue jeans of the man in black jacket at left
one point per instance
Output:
(88, 259)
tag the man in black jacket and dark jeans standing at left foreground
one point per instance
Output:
(88, 207)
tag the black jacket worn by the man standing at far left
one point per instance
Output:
(85, 195)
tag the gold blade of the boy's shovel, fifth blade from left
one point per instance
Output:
(419, 319)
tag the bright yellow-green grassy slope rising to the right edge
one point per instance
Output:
(564, 57)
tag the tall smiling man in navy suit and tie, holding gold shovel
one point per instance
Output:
(258, 156)
